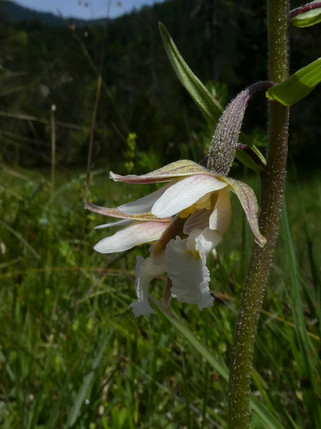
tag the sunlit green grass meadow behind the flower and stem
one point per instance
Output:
(73, 356)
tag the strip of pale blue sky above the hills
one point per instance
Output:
(86, 9)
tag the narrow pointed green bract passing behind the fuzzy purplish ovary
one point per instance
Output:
(207, 104)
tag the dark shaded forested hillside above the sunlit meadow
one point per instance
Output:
(47, 61)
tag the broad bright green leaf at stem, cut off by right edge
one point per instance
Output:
(297, 86)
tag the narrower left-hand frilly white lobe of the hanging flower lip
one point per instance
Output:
(145, 271)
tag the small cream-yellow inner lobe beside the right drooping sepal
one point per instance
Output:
(221, 216)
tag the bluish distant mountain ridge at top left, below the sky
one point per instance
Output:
(12, 12)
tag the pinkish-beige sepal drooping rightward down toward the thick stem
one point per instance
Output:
(248, 201)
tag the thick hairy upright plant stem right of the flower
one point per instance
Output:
(273, 184)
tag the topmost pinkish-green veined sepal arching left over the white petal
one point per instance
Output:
(169, 172)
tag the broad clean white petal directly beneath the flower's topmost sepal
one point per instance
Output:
(184, 193)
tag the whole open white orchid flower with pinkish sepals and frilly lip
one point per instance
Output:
(185, 219)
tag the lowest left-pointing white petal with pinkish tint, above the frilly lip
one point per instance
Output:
(134, 235)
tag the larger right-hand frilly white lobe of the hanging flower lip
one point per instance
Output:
(188, 273)
